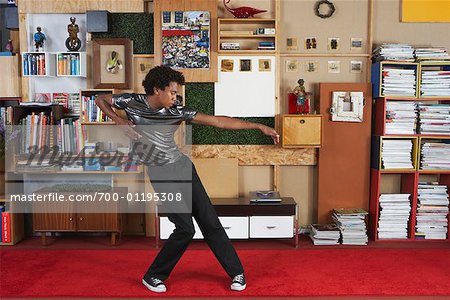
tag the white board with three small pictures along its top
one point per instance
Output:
(245, 89)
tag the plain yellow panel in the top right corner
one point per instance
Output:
(425, 11)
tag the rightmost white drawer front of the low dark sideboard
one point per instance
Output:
(271, 226)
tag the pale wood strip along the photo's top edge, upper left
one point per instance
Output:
(79, 6)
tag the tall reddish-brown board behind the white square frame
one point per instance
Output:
(344, 159)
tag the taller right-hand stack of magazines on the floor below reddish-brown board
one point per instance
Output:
(352, 224)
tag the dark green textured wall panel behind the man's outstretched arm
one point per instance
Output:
(200, 96)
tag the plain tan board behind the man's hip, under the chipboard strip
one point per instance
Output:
(220, 176)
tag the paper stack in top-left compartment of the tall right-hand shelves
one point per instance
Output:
(398, 81)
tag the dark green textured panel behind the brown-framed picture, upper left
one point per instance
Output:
(135, 26)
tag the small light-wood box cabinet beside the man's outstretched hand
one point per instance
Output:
(301, 131)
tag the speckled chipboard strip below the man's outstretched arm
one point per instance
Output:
(257, 155)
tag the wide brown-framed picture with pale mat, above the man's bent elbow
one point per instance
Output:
(112, 63)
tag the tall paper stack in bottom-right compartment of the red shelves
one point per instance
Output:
(432, 211)
